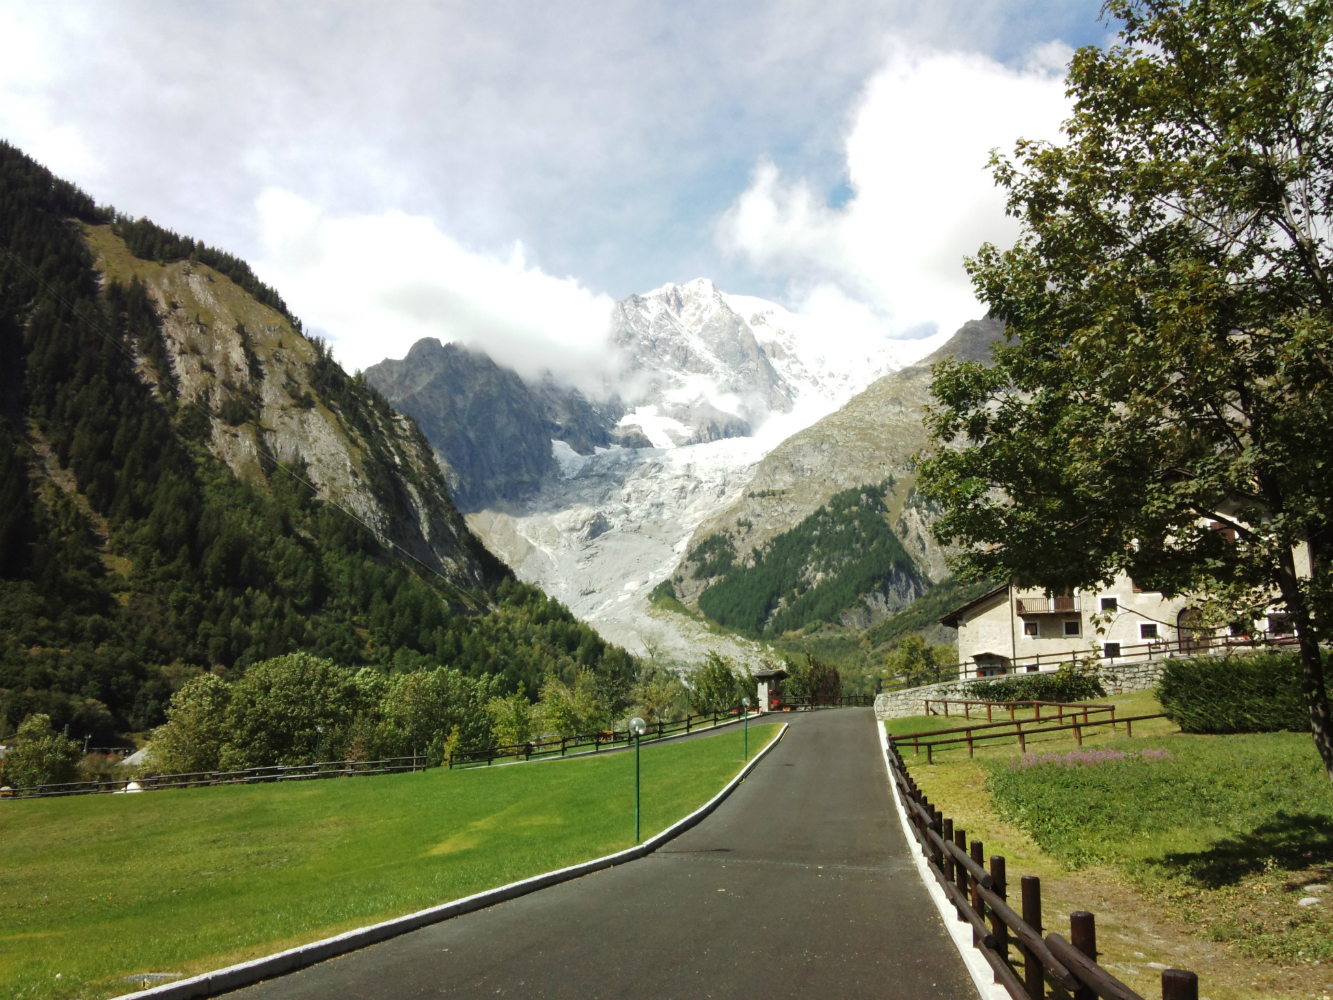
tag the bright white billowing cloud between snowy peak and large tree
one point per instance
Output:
(923, 199)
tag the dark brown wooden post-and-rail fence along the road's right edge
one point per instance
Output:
(1012, 945)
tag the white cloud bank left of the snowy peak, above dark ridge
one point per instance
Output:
(379, 283)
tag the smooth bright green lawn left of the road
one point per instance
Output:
(98, 889)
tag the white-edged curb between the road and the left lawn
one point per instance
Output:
(271, 966)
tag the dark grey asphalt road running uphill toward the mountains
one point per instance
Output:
(799, 886)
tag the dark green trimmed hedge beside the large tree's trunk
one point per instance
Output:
(1236, 694)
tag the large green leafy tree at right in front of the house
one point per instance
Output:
(1164, 403)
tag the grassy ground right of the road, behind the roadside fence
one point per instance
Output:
(1196, 859)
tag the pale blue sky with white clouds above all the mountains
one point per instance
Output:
(603, 149)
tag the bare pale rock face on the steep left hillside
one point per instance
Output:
(267, 394)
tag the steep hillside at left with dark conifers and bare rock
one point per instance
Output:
(190, 485)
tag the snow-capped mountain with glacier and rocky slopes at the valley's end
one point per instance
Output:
(722, 418)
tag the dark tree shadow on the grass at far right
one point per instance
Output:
(1291, 843)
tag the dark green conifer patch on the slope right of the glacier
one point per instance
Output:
(839, 561)
